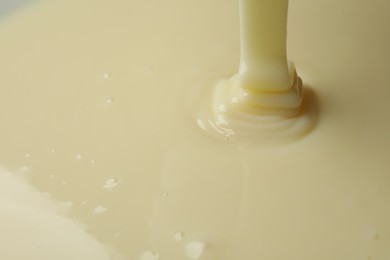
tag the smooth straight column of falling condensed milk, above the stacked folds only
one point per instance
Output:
(263, 33)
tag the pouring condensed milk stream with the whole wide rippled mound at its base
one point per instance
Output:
(264, 100)
